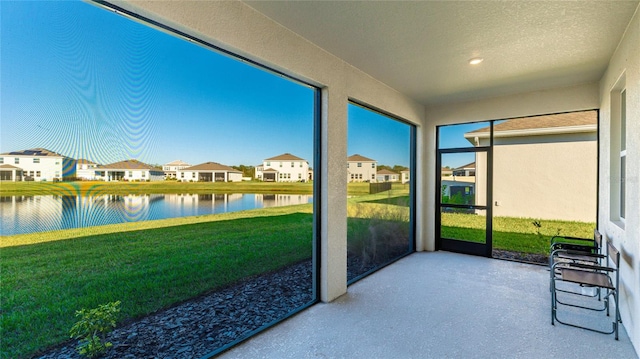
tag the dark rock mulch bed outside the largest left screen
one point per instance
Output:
(198, 327)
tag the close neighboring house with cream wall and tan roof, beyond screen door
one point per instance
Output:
(543, 166)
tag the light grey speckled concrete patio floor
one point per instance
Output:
(437, 305)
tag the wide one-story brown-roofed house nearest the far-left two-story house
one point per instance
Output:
(129, 170)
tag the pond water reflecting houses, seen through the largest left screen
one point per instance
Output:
(28, 214)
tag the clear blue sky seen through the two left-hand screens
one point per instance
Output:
(87, 83)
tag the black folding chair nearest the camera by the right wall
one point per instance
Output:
(589, 275)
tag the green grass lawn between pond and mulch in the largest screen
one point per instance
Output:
(43, 284)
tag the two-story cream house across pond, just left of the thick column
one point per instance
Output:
(283, 168)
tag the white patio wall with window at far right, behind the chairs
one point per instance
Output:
(625, 236)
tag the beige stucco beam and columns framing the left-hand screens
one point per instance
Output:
(237, 27)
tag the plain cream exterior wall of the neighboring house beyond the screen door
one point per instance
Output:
(546, 177)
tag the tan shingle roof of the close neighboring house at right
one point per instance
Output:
(580, 121)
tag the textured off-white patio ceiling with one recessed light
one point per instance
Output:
(422, 48)
